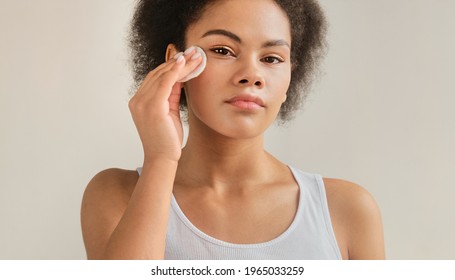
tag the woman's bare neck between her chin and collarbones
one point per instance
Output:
(220, 162)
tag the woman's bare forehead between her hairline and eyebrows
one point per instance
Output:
(247, 19)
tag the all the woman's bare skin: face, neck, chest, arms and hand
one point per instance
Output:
(223, 179)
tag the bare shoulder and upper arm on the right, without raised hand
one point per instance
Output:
(356, 219)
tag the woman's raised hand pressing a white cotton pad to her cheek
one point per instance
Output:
(155, 107)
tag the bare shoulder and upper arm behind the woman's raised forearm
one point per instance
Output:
(103, 204)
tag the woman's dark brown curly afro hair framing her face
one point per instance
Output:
(158, 23)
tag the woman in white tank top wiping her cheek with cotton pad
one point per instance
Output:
(223, 196)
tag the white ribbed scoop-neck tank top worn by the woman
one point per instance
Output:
(309, 237)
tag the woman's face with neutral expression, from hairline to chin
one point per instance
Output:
(248, 67)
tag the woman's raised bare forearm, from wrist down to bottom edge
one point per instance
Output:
(141, 232)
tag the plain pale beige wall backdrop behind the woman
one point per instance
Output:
(380, 115)
